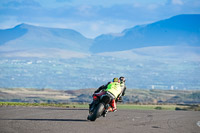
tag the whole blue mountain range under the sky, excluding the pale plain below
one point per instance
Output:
(181, 30)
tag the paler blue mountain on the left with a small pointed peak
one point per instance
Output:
(29, 40)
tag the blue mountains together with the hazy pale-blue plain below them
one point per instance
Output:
(164, 54)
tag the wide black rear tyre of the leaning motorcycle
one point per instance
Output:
(97, 112)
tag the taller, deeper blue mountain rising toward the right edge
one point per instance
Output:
(181, 30)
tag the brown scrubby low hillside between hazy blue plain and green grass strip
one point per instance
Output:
(85, 95)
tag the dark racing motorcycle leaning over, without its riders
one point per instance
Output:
(100, 105)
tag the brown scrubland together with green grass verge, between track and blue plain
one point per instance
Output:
(134, 98)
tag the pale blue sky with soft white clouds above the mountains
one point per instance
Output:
(92, 17)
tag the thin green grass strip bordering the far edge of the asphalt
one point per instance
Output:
(119, 106)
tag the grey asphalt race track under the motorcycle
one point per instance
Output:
(63, 120)
